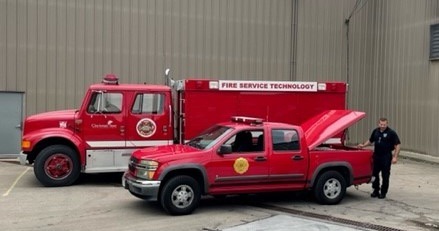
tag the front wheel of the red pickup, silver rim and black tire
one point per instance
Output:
(180, 195)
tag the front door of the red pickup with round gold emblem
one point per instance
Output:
(246, 168)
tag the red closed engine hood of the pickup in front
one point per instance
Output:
(165, 151)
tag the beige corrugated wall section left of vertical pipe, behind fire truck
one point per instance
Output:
(53, 49)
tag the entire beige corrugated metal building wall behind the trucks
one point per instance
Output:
(53, 49)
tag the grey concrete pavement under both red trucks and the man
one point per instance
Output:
(411, 204)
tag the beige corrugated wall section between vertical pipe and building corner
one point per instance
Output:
(320, 41)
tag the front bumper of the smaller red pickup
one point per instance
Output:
(144, 189)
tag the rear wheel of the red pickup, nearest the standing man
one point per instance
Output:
(330, 188)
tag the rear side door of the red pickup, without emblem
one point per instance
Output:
(288, 164)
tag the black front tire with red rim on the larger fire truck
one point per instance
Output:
(57, 165)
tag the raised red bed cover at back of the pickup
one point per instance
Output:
(328, 124)
